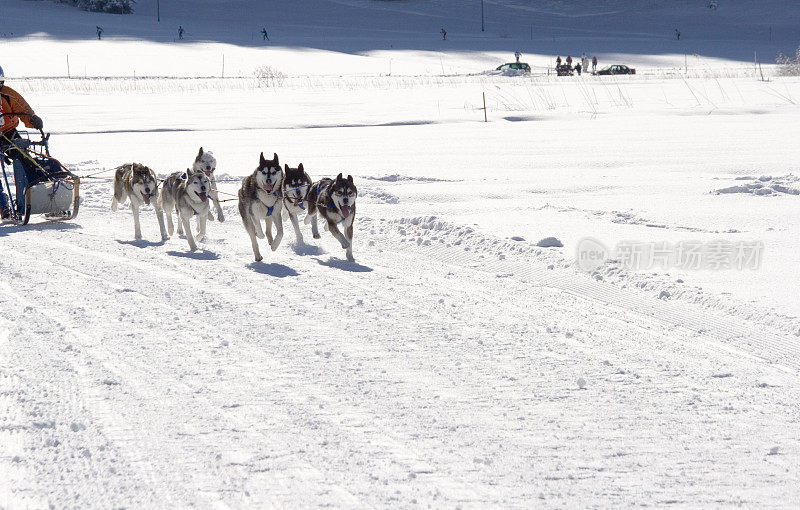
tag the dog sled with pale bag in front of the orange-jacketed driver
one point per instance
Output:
(40, 184)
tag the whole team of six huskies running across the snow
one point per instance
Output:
(264, 196)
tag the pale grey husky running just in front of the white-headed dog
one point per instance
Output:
(186, 192)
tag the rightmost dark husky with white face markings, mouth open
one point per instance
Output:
(335, 201)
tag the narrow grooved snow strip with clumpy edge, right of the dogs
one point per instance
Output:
(464, 247)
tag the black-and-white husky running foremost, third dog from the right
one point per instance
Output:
(261, 198)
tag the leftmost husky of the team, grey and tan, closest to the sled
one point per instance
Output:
(138, 183)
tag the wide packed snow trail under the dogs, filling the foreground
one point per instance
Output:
(155, 377)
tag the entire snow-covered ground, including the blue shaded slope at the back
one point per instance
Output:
(455, 363)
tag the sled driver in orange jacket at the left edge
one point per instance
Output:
(13, 108)
